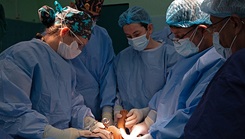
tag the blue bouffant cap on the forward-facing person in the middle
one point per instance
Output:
(134, 15)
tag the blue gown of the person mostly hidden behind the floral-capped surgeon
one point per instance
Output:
(95, 76)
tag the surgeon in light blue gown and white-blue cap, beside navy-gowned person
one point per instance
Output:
(172, 106)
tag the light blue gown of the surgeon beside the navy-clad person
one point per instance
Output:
(179, 97)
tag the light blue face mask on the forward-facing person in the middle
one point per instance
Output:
(139, 43)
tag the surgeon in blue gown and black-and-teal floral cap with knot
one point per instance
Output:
(37, 81)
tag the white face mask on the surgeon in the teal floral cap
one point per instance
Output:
(68, 51)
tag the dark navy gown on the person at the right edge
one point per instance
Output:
(220, 113)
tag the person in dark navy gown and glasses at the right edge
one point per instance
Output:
(220, 113)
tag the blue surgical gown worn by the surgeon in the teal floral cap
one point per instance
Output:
(37, 88)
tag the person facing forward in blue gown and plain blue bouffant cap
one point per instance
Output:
(141, 68)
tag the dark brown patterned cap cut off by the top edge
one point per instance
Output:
(93, 7)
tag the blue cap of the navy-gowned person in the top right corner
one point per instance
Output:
(224, 8)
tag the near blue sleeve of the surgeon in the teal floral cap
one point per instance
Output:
(15, 106)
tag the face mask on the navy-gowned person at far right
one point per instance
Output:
(225, 52)
